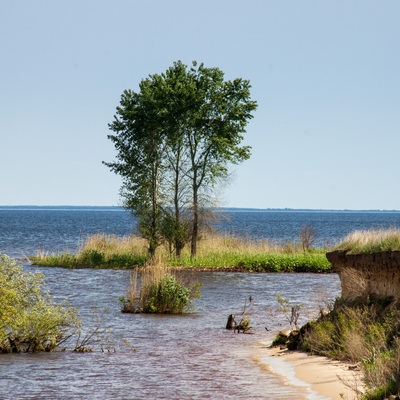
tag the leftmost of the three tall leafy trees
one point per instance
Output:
(140, 144)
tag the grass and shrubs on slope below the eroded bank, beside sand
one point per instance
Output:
(365, 335)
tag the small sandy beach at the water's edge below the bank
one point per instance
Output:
(316, 377)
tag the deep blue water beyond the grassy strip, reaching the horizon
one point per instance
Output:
(25, 231)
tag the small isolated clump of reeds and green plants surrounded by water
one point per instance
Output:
(159, 291)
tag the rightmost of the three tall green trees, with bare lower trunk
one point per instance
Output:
(220, 112)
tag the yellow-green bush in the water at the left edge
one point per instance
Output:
(29, 320)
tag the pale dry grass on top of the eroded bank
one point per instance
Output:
(371, 241)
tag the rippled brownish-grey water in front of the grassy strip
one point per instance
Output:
(176, 357)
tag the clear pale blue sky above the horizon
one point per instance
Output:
(325, 74)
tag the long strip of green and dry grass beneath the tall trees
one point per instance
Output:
(214, 252)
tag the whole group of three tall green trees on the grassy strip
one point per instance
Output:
(175, 140)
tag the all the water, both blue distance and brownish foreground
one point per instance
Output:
(174, 357)
